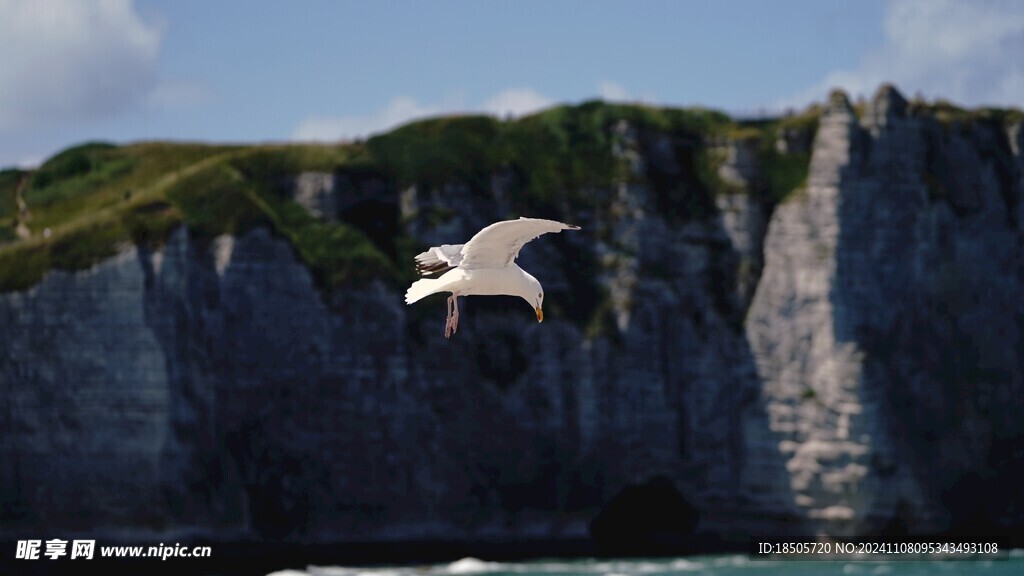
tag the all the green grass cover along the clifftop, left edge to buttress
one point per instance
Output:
(97, 198)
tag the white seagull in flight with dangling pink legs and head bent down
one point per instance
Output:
(484, 267)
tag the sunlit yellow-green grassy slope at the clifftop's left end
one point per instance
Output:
(98, 199)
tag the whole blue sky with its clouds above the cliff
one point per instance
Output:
(261, 71)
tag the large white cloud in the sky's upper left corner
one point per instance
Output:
(64, 61)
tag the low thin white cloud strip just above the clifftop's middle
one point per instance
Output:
(517, 102)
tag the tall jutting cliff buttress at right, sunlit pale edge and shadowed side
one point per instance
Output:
(873, 286)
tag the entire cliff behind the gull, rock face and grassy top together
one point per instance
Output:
(795, 327)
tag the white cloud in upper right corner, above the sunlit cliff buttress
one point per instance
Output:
(963, 52)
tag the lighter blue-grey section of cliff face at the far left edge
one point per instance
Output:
(87, 403)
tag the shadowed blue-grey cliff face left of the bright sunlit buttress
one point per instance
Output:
(254, 407)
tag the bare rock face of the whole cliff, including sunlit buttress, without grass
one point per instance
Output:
(812, 367)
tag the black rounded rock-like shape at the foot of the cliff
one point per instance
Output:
(648, 519)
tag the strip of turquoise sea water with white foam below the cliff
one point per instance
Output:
(733, 565)
